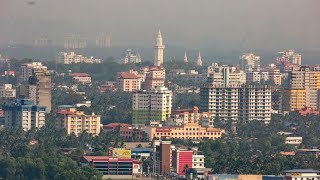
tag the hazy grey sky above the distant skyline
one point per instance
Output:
(260, 24)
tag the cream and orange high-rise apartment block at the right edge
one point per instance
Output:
(303, 89)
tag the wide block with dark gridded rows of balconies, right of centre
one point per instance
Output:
(237, 102)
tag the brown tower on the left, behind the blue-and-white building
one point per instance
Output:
(40, 89)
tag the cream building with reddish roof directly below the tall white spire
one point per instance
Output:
(155, 77)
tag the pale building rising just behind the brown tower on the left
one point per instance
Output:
(27, 70)
